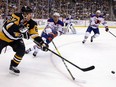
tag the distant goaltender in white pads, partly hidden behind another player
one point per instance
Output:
(69, 25)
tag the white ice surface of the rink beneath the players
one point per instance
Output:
(48, 70)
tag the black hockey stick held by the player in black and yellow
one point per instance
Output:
(82, 69)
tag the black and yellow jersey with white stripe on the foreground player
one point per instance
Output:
(11, 32)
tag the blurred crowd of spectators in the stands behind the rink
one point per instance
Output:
(79, 9)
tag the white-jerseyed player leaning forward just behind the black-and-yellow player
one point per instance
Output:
(54, 28)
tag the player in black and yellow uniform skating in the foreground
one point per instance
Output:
(18, 26)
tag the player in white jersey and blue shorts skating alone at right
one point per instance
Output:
(95, 21)
